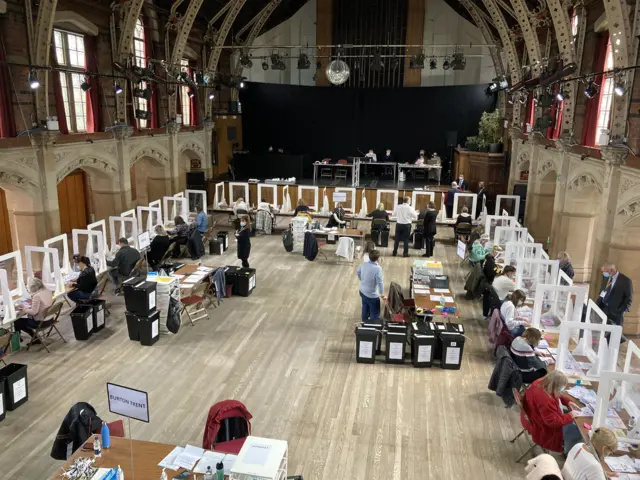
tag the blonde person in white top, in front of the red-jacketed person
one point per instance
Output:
(584, 461)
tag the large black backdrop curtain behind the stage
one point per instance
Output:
(328, 122)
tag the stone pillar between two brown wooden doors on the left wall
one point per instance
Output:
(43, 144)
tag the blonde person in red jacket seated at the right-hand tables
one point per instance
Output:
(550, 427)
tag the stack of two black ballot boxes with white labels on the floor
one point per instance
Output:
(143, 317)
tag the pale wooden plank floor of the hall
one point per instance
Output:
(287, 352)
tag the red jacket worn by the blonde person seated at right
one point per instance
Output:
(546, 417)
